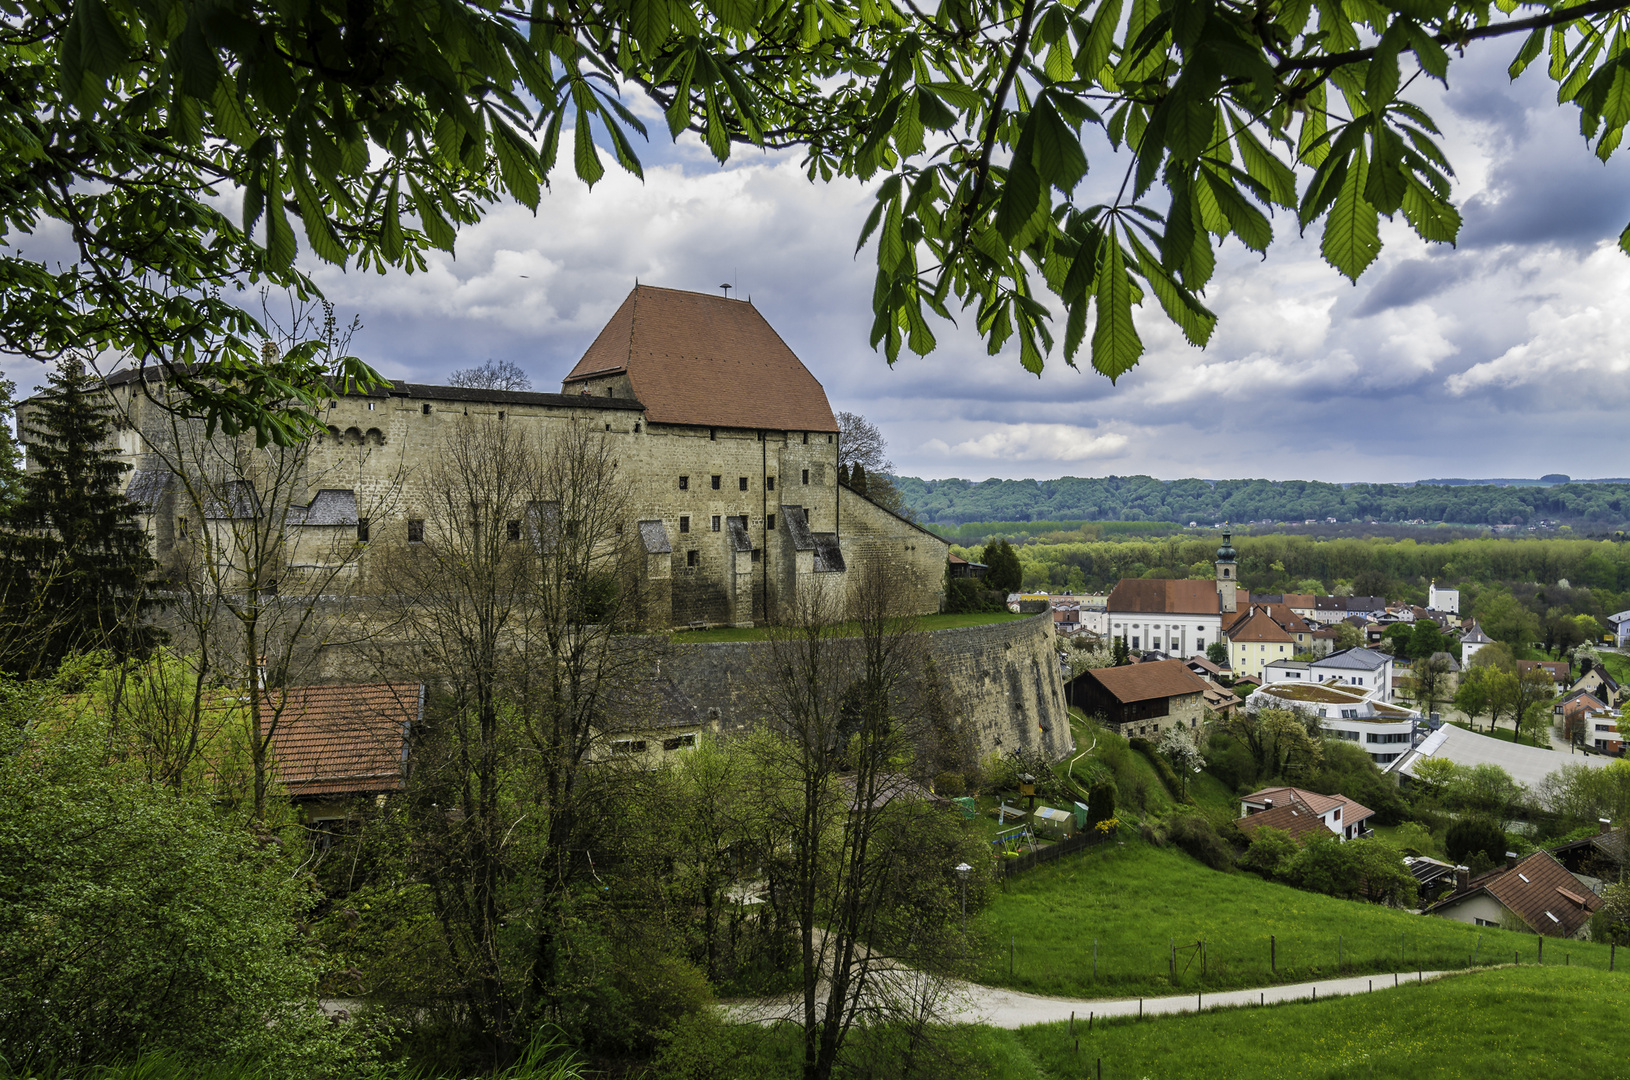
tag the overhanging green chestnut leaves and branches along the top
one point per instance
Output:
(369, 134)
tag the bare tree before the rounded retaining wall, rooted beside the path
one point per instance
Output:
(870, 869)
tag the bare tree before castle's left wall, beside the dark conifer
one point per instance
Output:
(265, 561)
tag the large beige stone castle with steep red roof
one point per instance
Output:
(728, 444)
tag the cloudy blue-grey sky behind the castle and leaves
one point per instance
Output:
(1505, 356)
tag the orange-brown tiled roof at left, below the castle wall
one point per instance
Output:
(341, 740)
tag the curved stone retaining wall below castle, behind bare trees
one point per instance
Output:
(1003, 680)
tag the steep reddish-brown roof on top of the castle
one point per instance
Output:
(707, 361)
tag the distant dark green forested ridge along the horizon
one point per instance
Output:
(1595, 507)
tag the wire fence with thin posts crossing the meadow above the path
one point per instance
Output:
(1153, 967)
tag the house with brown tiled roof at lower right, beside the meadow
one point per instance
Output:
(1535, 893)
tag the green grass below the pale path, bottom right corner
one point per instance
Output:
(1513, 1022)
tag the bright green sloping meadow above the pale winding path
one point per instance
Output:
(1139, 902)
